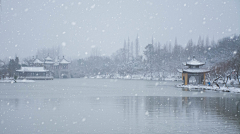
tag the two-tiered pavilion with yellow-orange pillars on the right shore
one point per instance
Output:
(194, 72)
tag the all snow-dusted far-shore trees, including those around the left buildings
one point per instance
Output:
(158, 60)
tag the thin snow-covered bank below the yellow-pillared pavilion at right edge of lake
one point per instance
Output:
(215, 88)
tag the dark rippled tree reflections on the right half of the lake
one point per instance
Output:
(184, 114)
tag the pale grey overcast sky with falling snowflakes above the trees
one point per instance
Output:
(28, 25)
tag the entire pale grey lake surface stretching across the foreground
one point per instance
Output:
(115, 106)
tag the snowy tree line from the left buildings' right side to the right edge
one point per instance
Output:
(159, 60)
